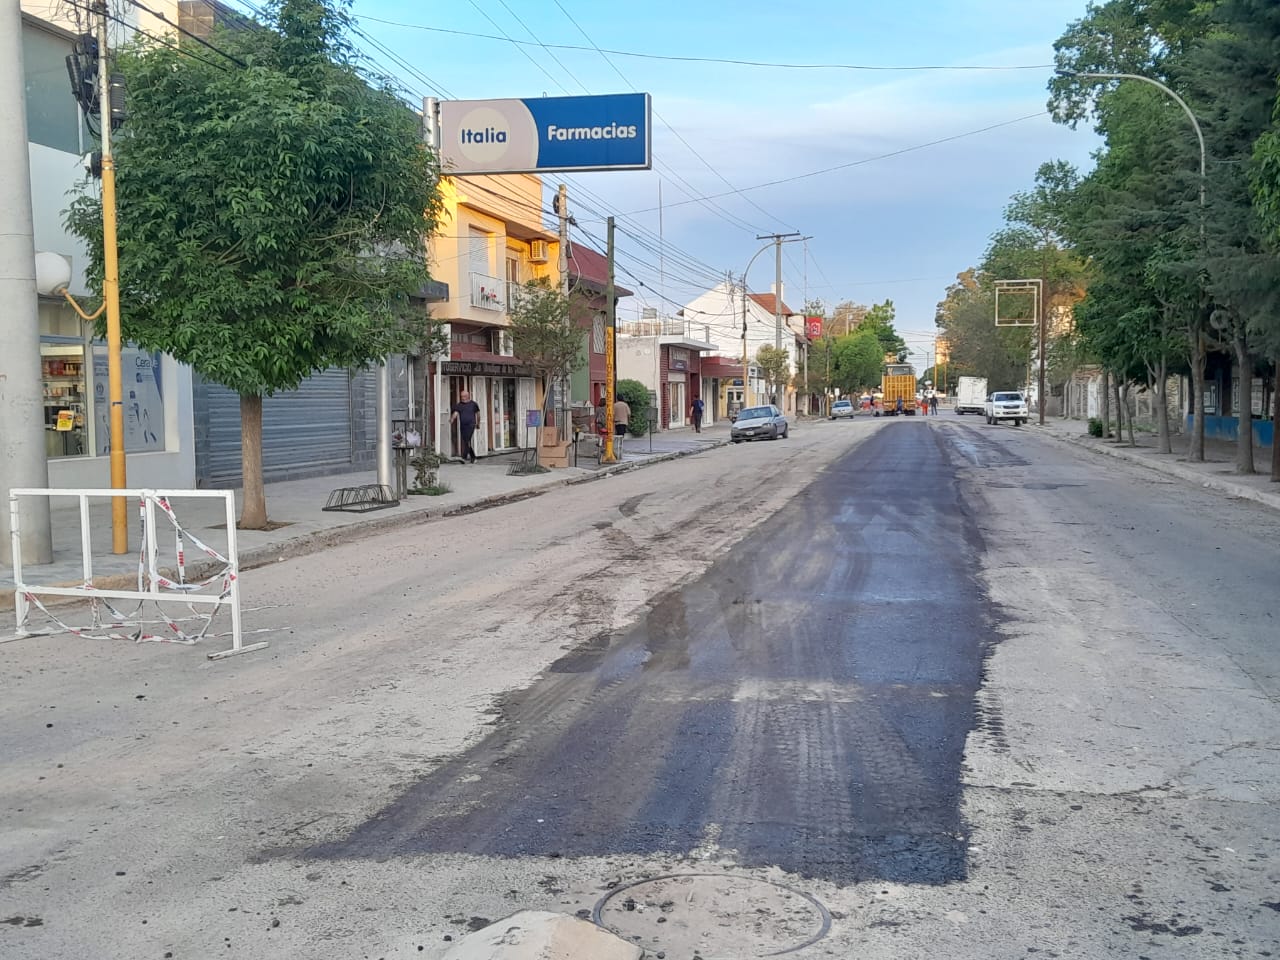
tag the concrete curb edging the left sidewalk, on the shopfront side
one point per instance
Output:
(319, 541)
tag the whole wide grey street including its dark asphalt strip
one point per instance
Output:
(893, 688)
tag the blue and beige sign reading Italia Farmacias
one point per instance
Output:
(545, 135)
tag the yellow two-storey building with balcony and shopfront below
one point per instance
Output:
(493, 237)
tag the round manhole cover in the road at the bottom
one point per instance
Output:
(714, 916)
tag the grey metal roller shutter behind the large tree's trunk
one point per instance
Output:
(304, 431)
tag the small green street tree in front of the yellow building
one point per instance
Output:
(545, 336)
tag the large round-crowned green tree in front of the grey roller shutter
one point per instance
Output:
(273, 217)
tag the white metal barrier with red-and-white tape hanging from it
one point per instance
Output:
(152, 584)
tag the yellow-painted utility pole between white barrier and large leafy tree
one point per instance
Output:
(112, 294)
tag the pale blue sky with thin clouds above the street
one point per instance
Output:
(900, 217)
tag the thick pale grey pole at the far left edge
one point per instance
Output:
(22, 414)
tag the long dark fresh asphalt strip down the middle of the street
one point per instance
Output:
(804, 705)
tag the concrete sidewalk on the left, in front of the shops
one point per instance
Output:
(296, 508)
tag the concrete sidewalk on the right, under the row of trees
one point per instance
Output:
(1218, 472)
